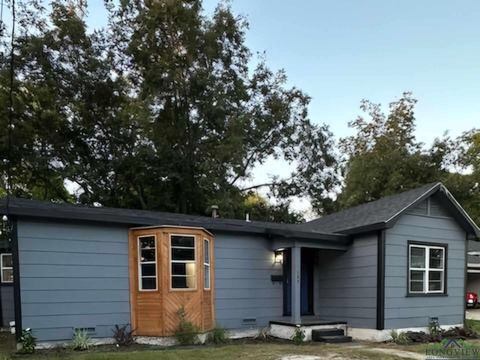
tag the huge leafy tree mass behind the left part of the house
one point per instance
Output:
(162, 110)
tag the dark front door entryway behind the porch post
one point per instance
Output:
(306, 282)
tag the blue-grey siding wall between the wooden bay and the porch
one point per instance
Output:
(245, 296)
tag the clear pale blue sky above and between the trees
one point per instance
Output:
(340, 52)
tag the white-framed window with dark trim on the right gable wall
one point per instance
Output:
(426, 269)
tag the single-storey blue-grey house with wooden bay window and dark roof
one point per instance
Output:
(395, 263)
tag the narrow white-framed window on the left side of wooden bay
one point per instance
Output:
(147, 263)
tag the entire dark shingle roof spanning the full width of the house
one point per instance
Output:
(371, 216)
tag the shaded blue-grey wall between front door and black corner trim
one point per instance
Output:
(346, 283)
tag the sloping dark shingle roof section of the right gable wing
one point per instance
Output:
(373, 214)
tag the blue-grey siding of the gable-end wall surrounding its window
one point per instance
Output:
(402, 311)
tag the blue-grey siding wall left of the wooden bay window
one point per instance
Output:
(73, 275)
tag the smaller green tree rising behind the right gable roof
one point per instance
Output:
(384, 158)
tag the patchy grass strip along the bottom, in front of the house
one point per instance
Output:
(235, 350)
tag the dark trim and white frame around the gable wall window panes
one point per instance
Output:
(429, 245)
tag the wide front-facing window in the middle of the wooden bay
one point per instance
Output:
(183, 263)
